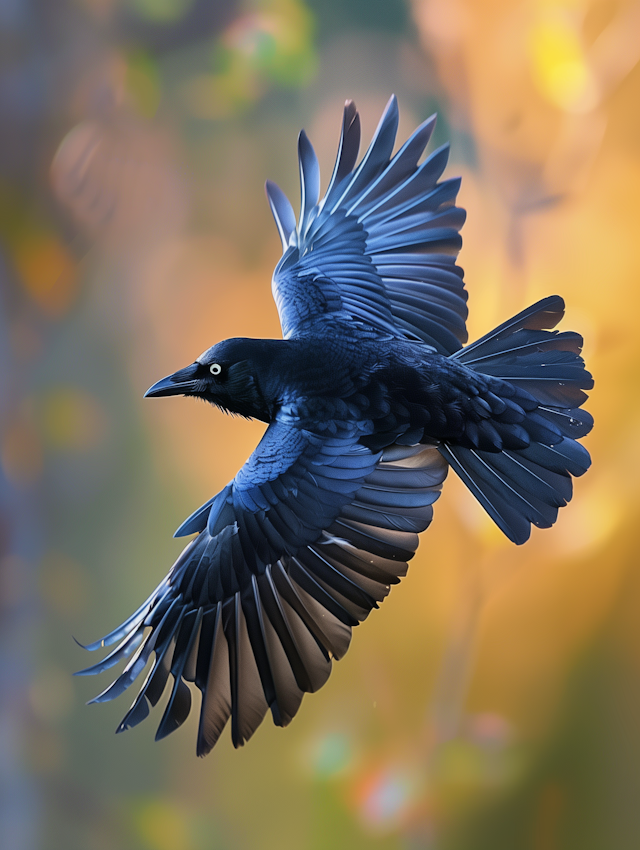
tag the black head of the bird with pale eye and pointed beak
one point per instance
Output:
(227, 375)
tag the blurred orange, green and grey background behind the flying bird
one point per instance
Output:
(494, 701)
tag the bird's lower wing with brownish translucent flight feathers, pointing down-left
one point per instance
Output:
(296, 550)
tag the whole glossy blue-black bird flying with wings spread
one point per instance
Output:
(368, 400)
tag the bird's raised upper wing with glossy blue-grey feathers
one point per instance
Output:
(380, 247)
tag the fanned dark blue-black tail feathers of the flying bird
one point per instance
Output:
(527, 485)
